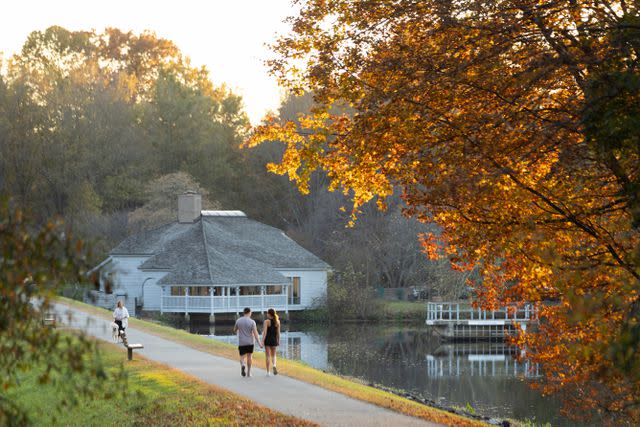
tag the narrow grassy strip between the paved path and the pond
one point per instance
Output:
(294, 369)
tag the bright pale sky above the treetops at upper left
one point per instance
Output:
(228, 36)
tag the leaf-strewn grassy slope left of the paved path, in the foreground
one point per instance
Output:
(156, 395)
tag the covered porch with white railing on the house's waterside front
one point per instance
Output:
(227, 299)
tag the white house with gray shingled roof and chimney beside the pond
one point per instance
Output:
(212, 262)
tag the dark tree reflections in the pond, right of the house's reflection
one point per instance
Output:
(397, 357)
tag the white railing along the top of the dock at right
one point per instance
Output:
(454, 312)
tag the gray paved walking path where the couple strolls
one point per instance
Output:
(279, 392)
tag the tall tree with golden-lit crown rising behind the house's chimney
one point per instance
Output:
(196, 128)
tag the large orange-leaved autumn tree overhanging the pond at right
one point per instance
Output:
(512, 124)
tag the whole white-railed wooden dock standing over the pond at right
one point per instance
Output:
(455, 321)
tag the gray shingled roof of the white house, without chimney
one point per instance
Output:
(219, 250)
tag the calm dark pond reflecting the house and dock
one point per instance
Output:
(485, 375)
